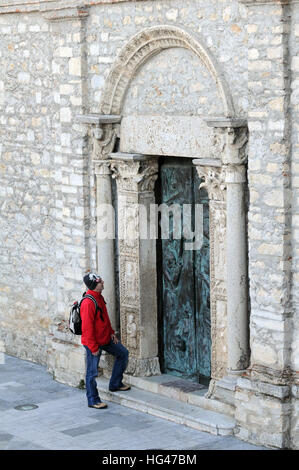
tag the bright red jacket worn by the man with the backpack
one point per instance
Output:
(95, 331)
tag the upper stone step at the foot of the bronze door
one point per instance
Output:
(174, 387)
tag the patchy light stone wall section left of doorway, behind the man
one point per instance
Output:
(47, 179)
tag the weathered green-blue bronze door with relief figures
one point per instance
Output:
(184, 286)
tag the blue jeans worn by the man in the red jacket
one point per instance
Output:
(92, 362)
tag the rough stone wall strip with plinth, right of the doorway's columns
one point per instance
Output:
(267, 399)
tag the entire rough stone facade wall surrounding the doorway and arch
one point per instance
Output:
(55, 60)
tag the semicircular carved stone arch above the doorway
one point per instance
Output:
(140, 48)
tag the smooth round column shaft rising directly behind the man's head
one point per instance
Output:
(106, 234)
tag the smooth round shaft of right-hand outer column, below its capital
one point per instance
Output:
(236, 256)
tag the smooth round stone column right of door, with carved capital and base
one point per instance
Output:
(234, 172)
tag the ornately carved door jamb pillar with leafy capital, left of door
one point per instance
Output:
(136, 176)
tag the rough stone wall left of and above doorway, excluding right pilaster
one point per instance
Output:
(55, 64)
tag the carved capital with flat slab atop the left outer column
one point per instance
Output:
(104, 131)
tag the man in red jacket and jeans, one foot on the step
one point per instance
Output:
(98, 335)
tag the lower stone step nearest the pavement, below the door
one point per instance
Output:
(169, 408)
